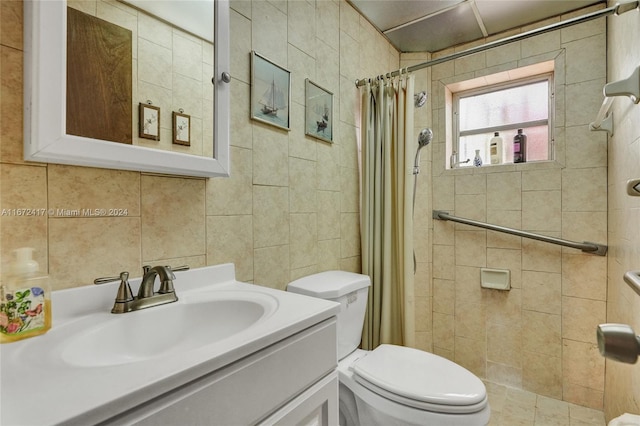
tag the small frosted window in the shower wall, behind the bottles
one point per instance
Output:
(504, 108)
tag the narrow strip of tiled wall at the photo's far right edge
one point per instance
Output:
(622, 381)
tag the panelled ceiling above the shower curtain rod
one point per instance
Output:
(432, 25)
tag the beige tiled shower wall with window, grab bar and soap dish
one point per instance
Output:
(539, 336)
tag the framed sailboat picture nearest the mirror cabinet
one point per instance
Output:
(270, 92)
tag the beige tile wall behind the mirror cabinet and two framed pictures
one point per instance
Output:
(290, 207)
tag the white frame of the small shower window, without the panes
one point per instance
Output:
(489, 88)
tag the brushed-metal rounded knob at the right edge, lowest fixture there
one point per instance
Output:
(618, 342)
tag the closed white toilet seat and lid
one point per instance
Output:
(421, 380)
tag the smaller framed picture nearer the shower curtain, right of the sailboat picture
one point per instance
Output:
(319, 112)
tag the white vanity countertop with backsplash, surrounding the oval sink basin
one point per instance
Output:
(37, 387)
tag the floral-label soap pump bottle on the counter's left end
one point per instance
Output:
(25, 300)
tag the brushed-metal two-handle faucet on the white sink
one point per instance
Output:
(146, 298)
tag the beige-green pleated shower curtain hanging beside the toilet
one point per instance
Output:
(386, 210)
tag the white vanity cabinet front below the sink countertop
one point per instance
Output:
(291, 382)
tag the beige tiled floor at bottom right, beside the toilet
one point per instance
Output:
(515, 407)
